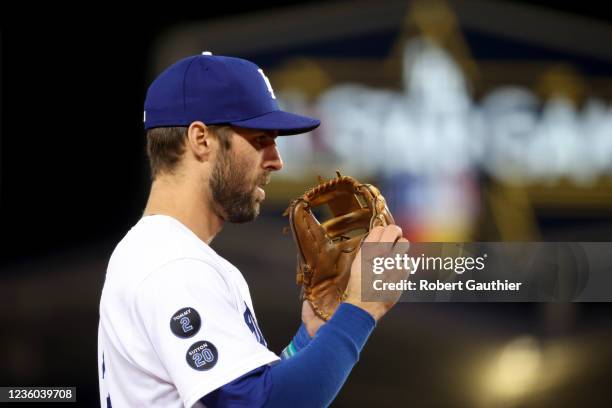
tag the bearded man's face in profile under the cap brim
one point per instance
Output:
(240, 173)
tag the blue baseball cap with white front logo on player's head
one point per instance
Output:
(218, 90)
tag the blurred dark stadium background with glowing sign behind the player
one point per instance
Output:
(480, 120)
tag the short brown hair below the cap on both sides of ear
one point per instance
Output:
(166, 145)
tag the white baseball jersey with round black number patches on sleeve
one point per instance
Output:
(176, 320)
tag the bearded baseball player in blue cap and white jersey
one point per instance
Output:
(177, 324)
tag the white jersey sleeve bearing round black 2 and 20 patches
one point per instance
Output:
(197, 328)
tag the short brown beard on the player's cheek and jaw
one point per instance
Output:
(232, 193)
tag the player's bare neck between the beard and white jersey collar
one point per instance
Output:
(186, 202)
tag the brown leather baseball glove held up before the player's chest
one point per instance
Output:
(326, 250)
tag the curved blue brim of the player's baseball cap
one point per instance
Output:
(284, 122)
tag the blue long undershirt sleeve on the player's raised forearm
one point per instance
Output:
(323, 364)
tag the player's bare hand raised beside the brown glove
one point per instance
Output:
(390, 235)
